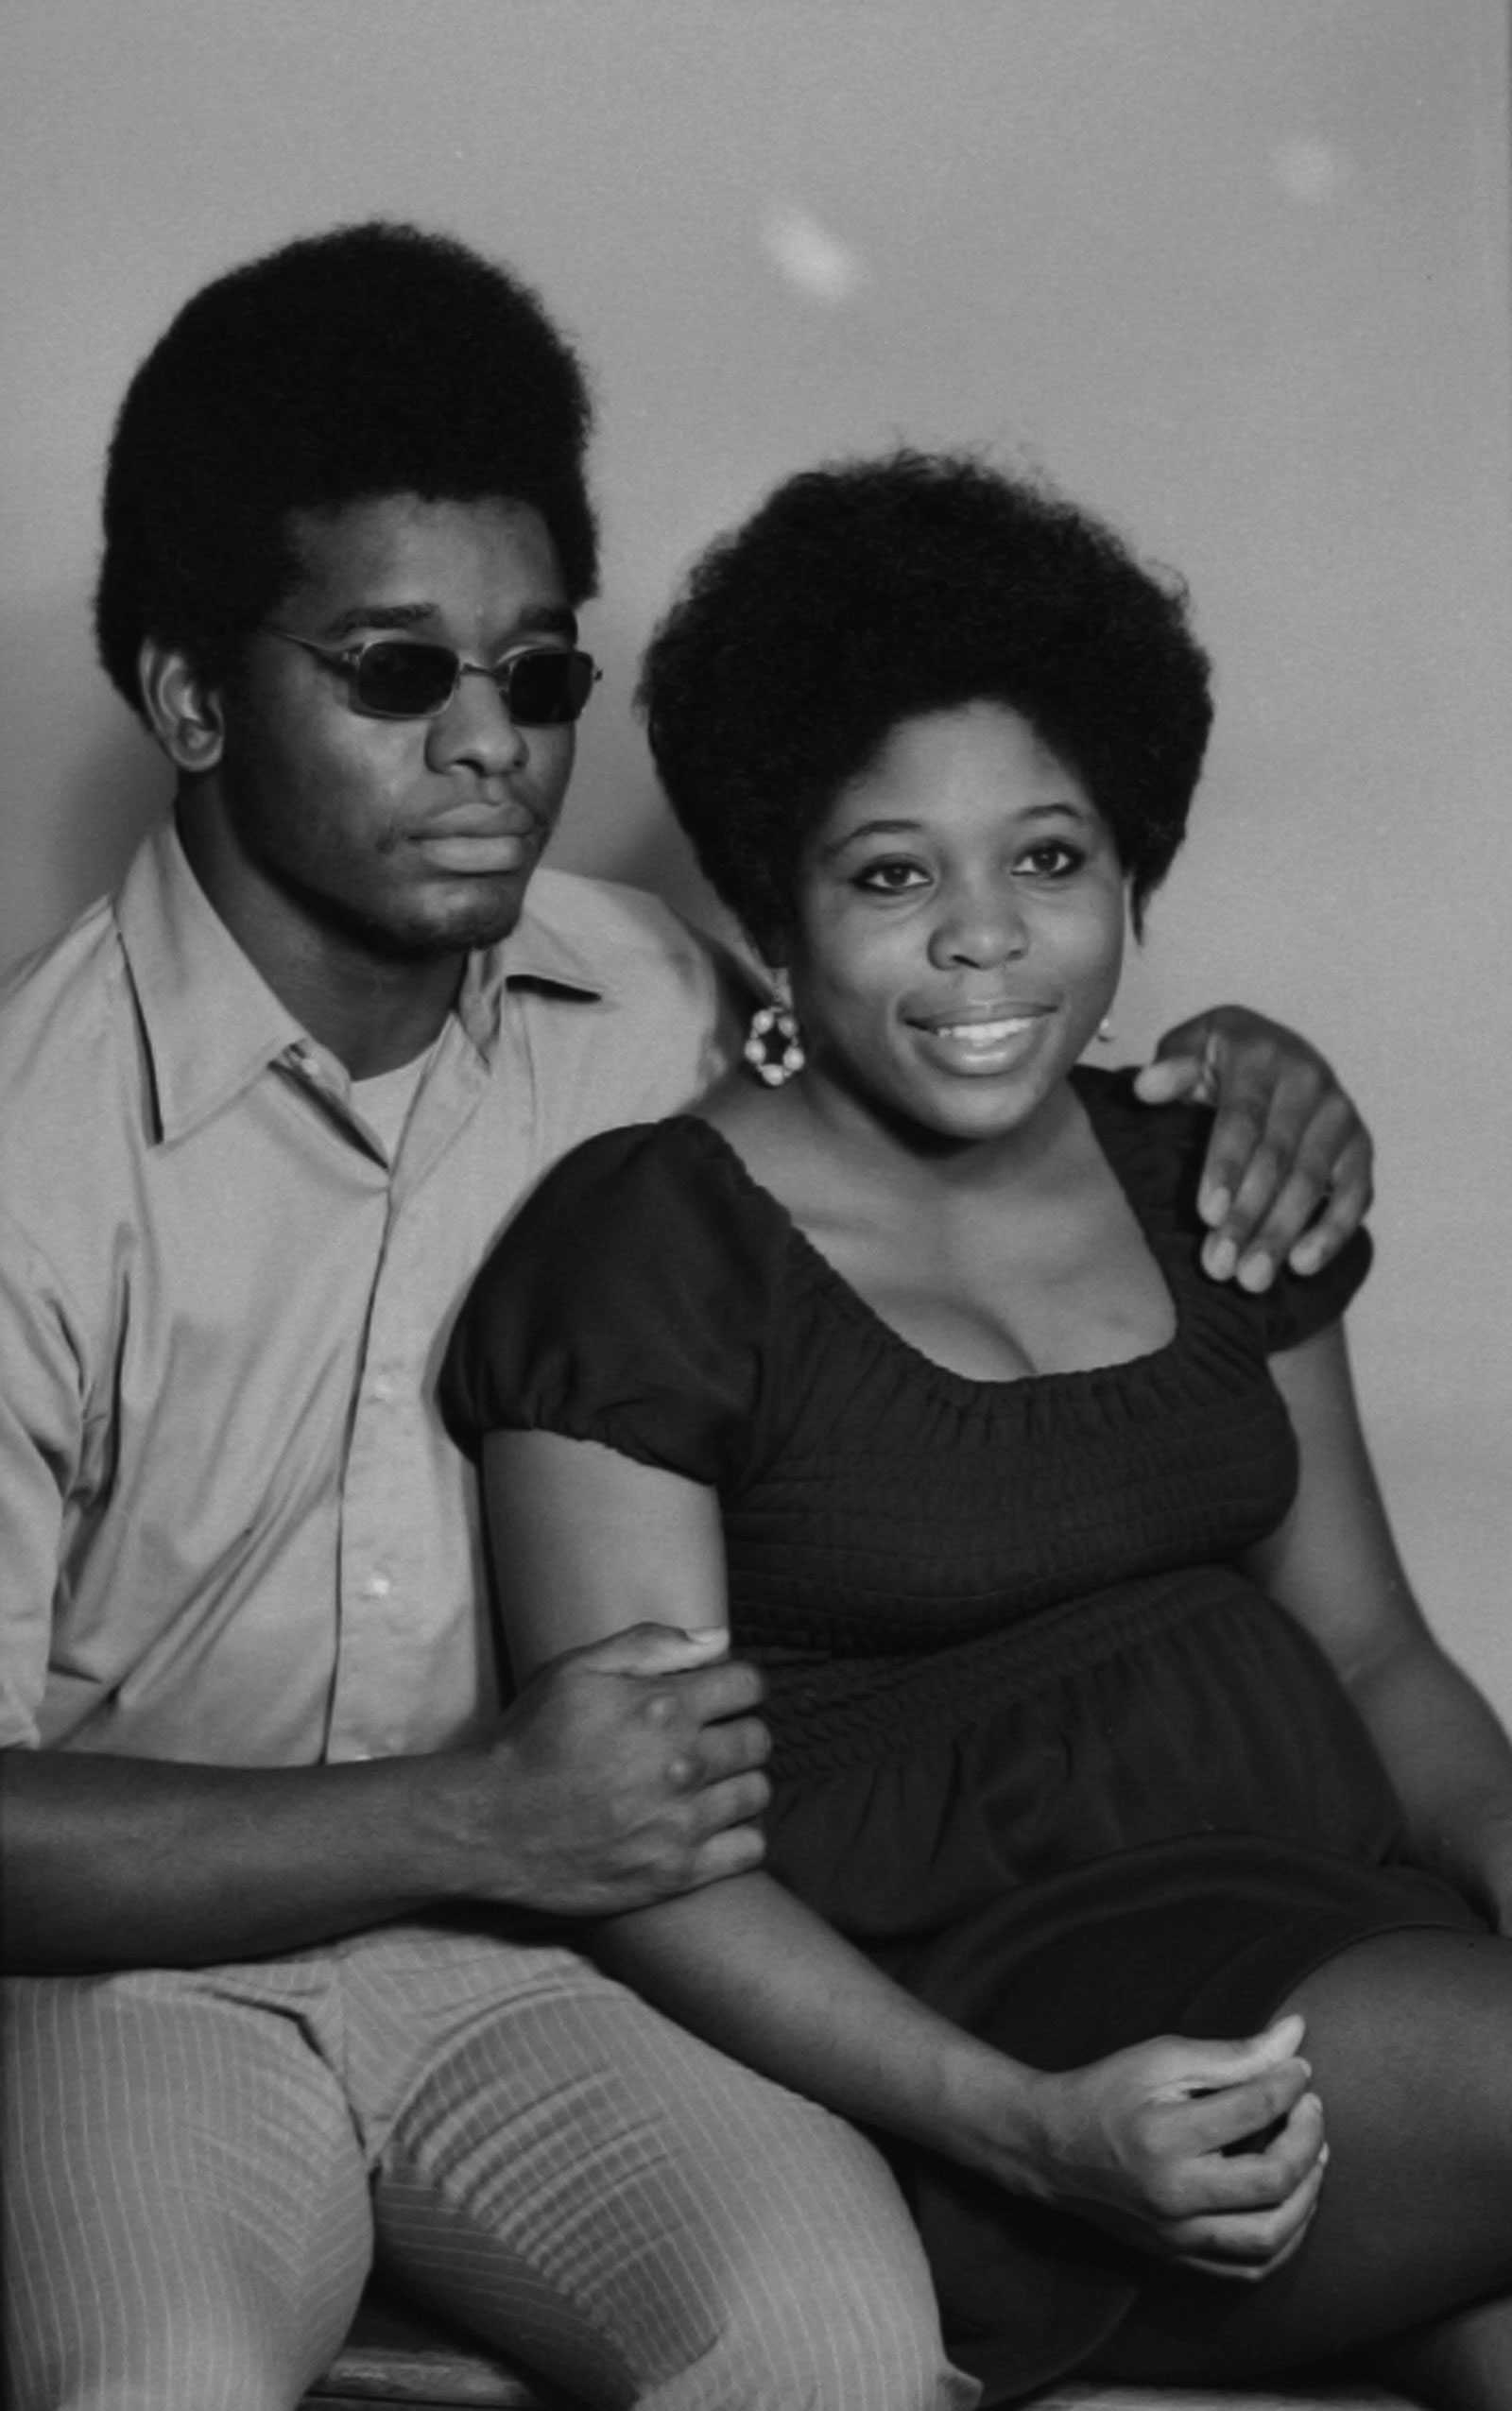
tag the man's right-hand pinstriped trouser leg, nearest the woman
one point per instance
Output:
(626, 2207)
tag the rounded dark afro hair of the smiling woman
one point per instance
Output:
(872, 592)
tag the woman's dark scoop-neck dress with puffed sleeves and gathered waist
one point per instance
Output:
(1041, 1747)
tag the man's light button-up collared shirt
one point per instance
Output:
(233, 1525)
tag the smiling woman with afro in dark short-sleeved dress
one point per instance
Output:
(1139, 1870)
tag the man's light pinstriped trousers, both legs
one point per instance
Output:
(204, 2164)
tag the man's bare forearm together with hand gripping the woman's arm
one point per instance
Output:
(621, 1773)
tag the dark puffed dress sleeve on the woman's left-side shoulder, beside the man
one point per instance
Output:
(626, 1303)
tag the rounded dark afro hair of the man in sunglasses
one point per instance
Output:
(370, 360)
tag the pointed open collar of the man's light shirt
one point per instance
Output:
(213, 1023)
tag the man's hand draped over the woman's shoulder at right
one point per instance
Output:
(1289, 1163)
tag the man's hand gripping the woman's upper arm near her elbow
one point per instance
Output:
(623, 1773)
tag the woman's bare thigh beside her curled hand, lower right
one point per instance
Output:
(1412, 2048)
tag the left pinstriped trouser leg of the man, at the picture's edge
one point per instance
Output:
(187, 2200)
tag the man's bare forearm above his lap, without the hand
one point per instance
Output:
(122, 1862)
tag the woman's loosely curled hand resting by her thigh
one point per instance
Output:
(1209, 2154)
